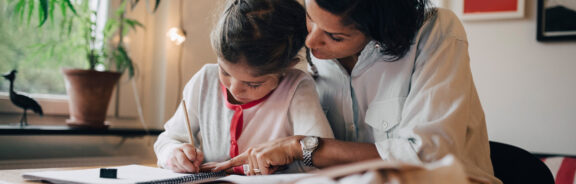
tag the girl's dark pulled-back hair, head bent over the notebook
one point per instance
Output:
(267, 34)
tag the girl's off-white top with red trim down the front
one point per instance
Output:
(292, 108)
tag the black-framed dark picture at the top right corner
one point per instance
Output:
(556, 20)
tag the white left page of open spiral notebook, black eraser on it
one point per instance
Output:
(130, 174)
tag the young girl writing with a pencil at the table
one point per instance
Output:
(252, 96)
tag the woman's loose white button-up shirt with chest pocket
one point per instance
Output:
(416, 109)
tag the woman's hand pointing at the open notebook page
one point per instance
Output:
(266, 157)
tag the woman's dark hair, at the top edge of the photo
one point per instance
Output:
(392, 23)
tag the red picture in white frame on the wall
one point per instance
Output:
(490, 9)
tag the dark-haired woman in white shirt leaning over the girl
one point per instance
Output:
(394, 80)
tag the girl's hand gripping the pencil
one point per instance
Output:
(185, 159)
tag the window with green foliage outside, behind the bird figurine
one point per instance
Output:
(39, 53)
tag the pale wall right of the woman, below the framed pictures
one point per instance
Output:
(526, 87)
